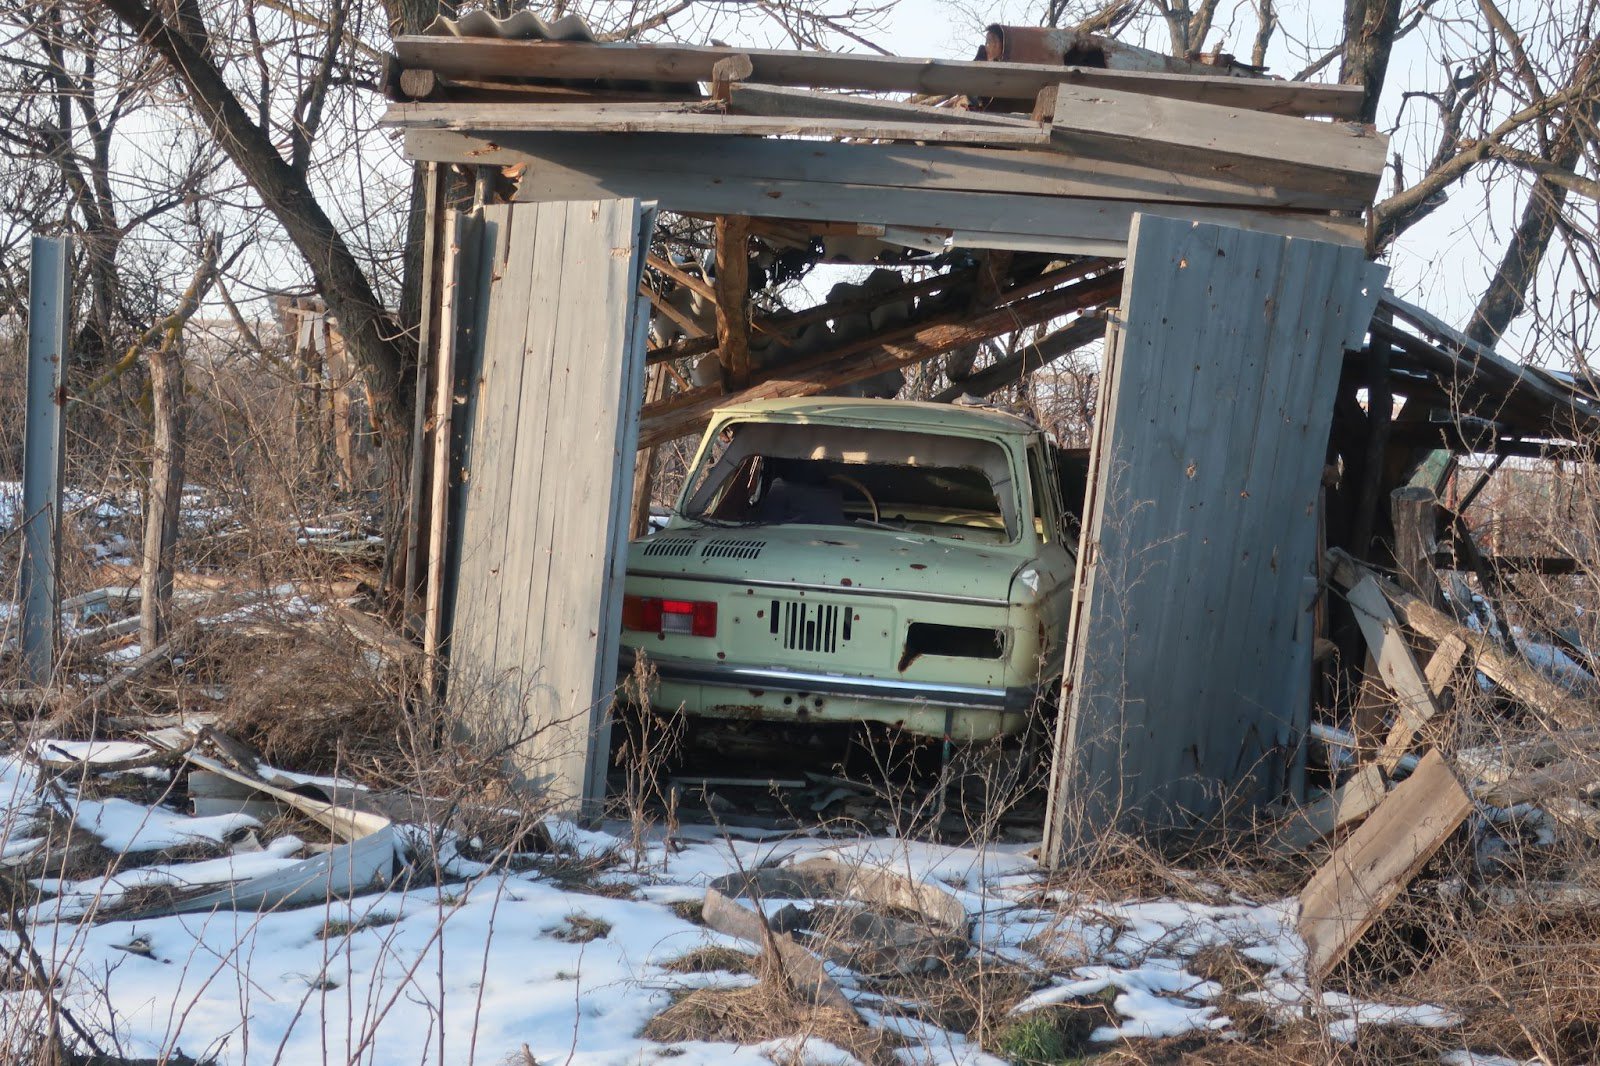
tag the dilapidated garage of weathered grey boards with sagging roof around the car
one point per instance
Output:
(1207, 223)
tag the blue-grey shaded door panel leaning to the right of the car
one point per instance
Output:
(1191, 636)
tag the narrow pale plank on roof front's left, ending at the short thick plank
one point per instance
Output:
(687, 119)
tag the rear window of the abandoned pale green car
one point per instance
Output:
(807, 475)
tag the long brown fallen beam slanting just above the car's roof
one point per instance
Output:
(879, 353)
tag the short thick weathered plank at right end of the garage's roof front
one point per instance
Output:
(1207, 140)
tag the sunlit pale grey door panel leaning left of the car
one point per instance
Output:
(546, 462)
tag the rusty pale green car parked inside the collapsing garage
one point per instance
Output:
(860, 561)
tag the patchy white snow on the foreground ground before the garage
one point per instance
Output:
(471, 972)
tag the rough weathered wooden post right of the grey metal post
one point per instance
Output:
(166, 494)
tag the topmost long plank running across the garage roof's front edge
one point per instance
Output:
(890, 74)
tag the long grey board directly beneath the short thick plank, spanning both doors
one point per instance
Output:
(721, 161)
